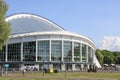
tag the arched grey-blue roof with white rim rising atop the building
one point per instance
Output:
(26, 23)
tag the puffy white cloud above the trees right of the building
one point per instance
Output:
(111, 43)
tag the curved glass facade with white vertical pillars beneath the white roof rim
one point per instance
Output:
(49, 51)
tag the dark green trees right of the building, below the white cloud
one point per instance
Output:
(108, 57)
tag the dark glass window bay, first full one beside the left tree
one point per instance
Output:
(14, 52)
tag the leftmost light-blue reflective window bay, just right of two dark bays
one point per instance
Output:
(43, 51)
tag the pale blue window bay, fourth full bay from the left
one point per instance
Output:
(56, 50)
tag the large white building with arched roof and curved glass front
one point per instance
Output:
(36, 41)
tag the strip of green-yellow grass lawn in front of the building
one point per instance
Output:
(61, 76)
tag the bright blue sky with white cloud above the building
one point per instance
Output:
(97, 19)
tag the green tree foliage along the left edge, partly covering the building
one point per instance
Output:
(4, 26)
